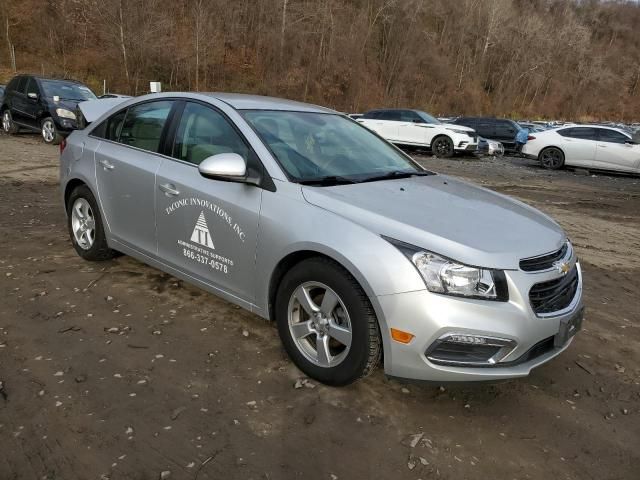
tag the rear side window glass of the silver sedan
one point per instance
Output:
(143, 124)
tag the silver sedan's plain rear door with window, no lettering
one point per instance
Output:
(126, 165)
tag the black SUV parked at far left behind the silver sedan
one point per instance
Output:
(43, 105)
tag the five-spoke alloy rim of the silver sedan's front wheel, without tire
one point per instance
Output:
(319, 324)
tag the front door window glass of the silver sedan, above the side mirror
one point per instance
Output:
(204, 132)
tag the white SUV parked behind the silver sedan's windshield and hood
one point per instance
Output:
(419, 129)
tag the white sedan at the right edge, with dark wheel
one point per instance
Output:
(588, 146)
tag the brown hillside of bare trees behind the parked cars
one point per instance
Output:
(567, 59)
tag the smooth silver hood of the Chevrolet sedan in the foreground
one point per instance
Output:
(450, 217)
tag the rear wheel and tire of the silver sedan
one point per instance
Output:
(85, 226)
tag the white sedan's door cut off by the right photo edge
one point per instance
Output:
(613, 152)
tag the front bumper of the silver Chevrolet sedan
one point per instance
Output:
(431, 316)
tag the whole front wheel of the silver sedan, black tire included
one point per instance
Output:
(349, 316)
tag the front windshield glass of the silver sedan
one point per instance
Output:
(319, 145)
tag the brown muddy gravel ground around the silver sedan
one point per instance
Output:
(115, 370)
